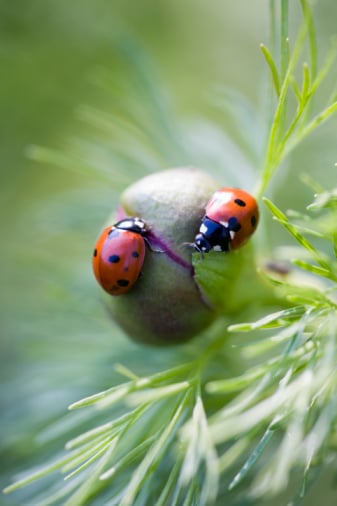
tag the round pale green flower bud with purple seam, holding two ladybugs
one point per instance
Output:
(165, 305)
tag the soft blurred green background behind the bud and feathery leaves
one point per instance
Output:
(56, 342)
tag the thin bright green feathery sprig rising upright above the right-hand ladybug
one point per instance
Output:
(285, 135)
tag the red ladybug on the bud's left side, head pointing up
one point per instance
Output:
(119, 255)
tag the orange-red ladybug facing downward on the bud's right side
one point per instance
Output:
(231, 216)
